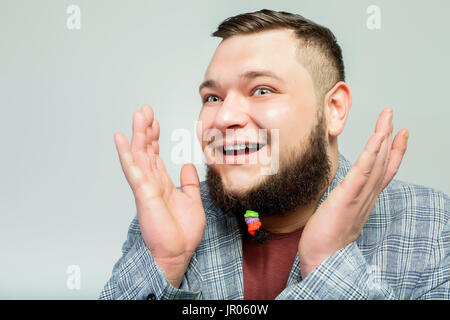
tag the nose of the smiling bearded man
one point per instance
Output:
(233, 113)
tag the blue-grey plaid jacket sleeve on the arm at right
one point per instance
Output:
(421, 272)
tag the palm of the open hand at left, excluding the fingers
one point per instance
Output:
(171, 221)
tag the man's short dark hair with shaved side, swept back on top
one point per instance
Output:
(319, 51)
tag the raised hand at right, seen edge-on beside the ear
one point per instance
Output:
(340, 218)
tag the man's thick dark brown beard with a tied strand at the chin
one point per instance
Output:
(298, 182)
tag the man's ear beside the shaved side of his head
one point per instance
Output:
(338, 101)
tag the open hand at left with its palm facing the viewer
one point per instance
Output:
(172, 221)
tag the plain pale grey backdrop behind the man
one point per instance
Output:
(63, 94)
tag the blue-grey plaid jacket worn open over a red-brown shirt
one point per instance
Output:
(402, 253)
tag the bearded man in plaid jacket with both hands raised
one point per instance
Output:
(324, 229)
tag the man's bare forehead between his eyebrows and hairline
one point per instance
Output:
(275, 50)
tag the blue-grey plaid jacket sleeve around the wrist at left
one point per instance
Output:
(136, 276)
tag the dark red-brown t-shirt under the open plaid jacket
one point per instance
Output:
(267, 266)
